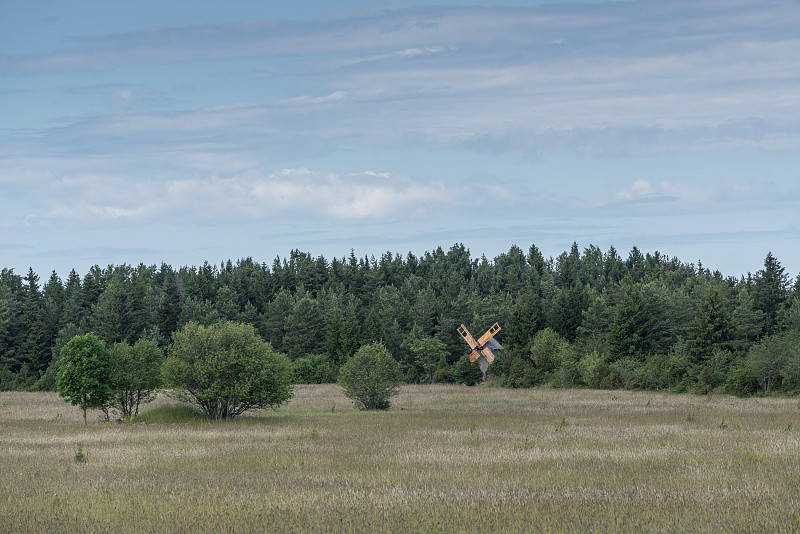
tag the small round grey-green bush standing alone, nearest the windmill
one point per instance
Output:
(370, 377)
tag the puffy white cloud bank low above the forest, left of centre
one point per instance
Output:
(290, 194)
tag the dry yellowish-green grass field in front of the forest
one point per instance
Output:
(443, 459)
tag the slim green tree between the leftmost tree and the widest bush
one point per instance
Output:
(136, 375)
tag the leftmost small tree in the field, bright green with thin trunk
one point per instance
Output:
(84, 374)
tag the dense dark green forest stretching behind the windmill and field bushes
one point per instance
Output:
(586, 318)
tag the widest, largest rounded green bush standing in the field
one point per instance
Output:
(226, 369)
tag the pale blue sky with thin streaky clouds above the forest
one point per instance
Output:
(184, 132)
